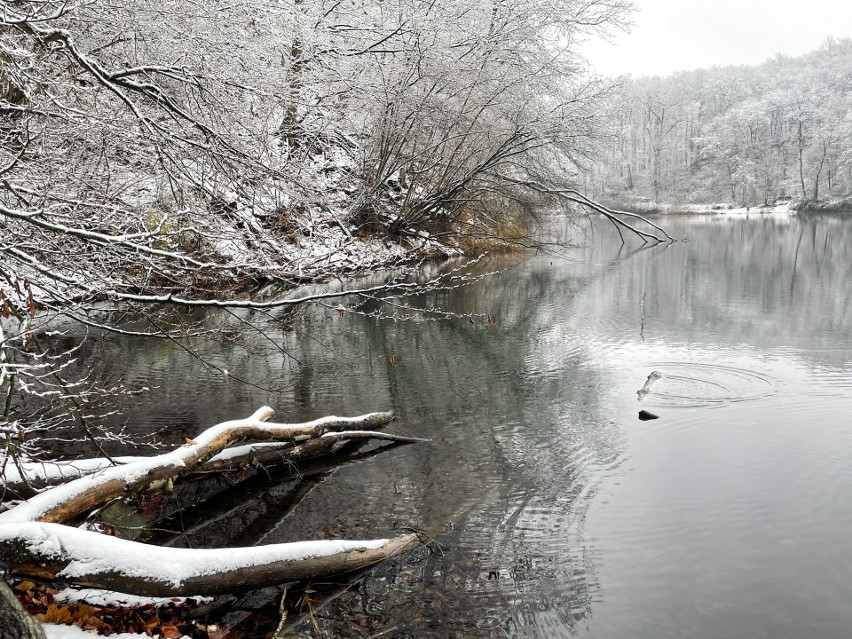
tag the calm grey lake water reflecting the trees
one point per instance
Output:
(558, 512)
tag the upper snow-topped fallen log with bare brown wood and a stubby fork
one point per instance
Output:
(64, 503)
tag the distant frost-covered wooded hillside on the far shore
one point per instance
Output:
(746, 136)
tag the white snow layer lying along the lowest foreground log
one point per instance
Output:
(171, 566)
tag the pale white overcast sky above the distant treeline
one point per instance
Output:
(675, 35)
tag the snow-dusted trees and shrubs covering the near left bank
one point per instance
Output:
(190, 152)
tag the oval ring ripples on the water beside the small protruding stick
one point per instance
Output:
(702, 385)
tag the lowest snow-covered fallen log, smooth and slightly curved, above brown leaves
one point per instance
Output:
(61, 553)
